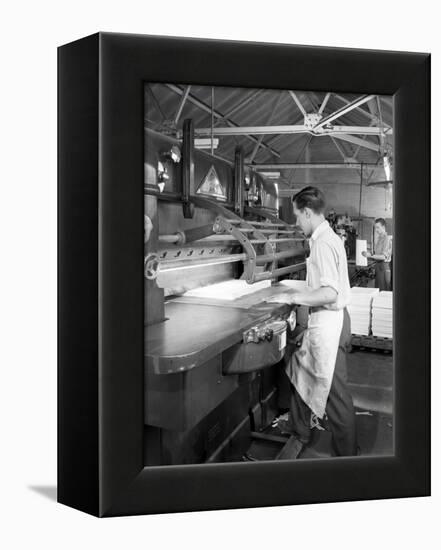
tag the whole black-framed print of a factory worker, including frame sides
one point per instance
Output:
(244, 293)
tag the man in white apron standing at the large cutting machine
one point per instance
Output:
(317, 369)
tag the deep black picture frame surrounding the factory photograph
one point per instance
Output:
(100, 274)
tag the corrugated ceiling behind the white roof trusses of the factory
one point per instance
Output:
(250, 107)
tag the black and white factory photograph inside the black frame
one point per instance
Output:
(268, 274)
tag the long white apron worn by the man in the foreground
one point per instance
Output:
(311, 367)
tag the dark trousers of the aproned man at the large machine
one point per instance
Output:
(339, 407)
